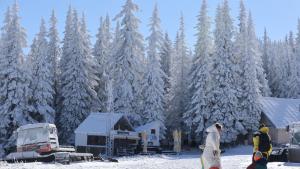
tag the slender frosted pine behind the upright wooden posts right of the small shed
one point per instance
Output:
(180, 70)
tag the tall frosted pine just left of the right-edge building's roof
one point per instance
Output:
(250, 86)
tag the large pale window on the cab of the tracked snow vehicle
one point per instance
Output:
(31, 136)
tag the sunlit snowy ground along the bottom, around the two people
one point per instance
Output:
(236, 158)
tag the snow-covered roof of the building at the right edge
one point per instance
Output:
(280, 111)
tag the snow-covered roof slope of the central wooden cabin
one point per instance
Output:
(98, 123)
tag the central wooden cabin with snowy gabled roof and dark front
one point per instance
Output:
(106, 133)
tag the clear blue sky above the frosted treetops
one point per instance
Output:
(278, 16)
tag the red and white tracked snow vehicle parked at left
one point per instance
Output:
(39, 142)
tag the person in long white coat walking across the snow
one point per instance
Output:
(211, 153)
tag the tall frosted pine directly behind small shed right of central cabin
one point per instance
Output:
(153, 84)
